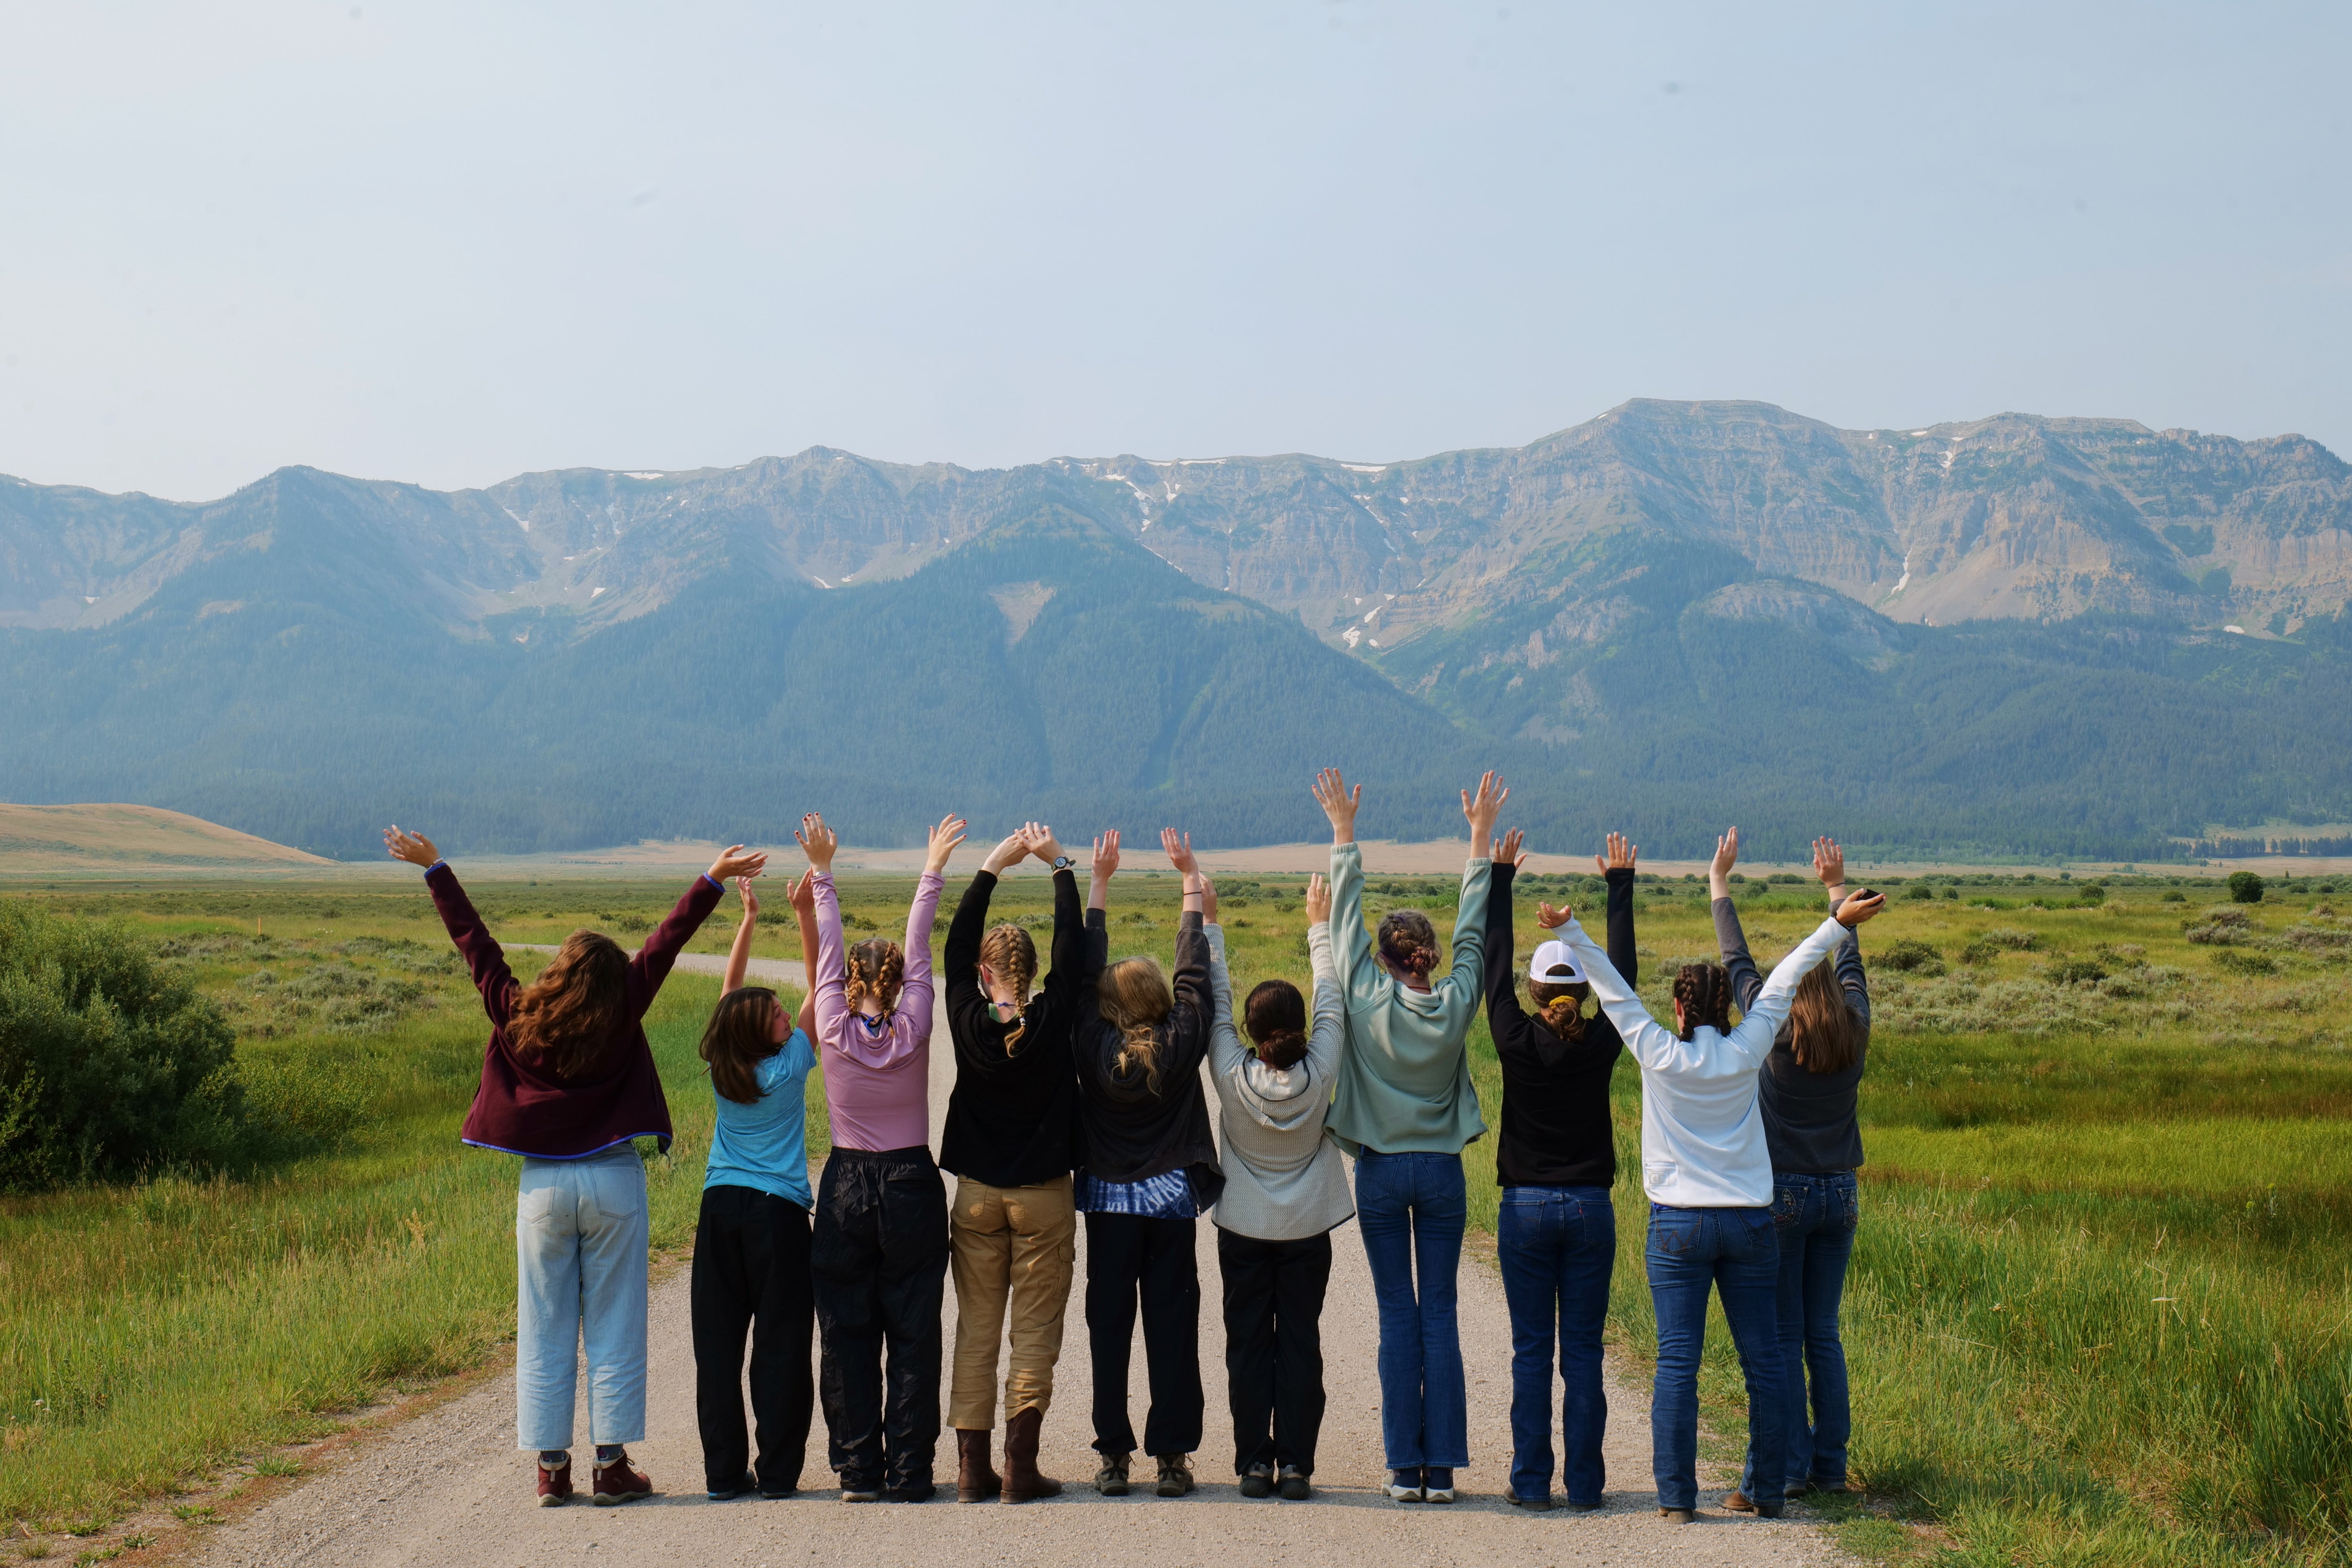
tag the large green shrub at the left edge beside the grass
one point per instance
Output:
(109, 1064)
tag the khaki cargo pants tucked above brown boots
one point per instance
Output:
(1010, 1247)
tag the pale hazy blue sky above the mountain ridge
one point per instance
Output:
(450, 243)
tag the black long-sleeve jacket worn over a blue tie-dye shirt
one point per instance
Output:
(1132, 1130)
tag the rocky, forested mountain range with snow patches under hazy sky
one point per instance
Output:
(2012, 636)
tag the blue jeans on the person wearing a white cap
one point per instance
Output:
(1558, 1249)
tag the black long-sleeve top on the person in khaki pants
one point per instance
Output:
(1013, 1115)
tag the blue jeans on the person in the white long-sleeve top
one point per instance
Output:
(1732, 1252)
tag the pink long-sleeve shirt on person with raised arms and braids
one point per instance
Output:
(878, 1071)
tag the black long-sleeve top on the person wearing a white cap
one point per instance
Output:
(1556, 1092)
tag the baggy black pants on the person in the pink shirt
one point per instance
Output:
(881, 1264)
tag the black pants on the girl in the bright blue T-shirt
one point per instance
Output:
(751, 1273)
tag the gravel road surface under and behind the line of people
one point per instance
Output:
(450, 1487)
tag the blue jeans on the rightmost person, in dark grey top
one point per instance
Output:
(1815, 1219)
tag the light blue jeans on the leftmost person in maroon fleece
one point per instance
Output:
(580, 1273)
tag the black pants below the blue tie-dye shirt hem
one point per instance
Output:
(1128, 1257)
